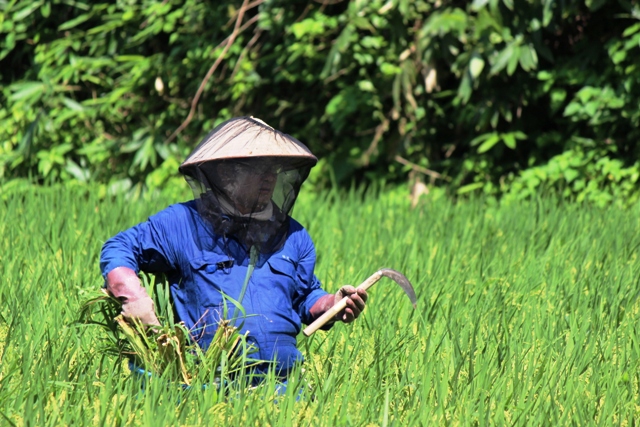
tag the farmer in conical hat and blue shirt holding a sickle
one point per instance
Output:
(236, 239)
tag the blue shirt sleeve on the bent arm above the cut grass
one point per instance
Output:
(146, 246)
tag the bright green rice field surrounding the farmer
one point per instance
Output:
(527, 315)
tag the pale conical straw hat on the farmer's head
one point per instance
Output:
(243, 137)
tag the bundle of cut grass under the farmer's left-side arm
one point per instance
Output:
(168, 350)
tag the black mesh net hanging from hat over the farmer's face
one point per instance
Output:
(248, 199)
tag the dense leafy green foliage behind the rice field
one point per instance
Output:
(499, 95)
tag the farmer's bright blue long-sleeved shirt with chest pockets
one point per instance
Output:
(178, 243)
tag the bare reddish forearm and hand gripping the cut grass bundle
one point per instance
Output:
(124, 284)
